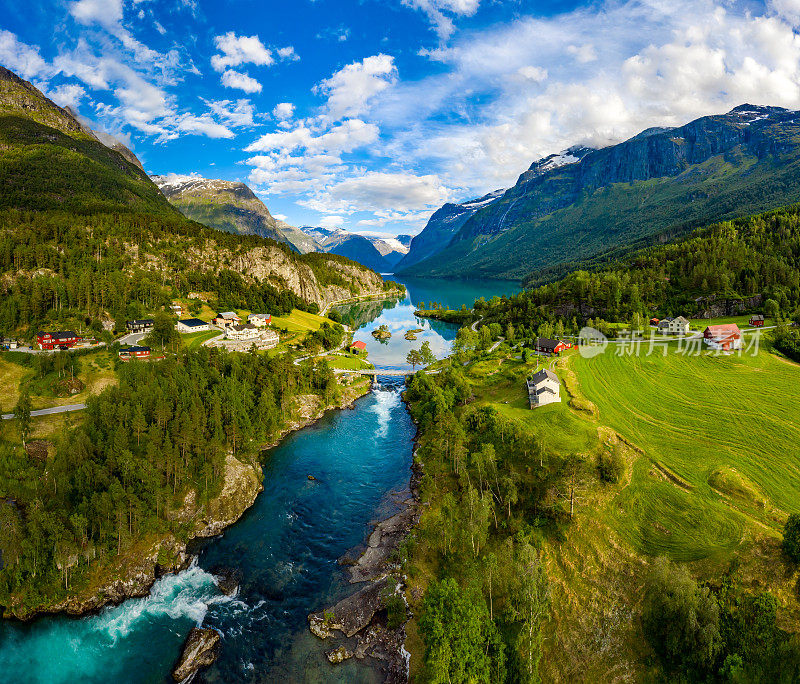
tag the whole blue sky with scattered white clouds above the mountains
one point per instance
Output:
(369, 114)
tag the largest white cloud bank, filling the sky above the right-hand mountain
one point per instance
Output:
(660, 64)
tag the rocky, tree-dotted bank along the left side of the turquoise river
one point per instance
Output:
(242, 483)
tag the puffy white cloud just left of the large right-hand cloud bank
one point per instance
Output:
(350, 89)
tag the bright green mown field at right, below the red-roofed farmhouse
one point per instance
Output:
(720, 440)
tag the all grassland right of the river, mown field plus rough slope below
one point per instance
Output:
(676, 411)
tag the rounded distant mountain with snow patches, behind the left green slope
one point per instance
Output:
(224, 205)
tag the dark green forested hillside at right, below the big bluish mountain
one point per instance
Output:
(752, 262)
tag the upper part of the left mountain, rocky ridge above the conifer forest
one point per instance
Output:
(50, 161)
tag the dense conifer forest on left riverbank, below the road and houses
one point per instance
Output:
(115, 477)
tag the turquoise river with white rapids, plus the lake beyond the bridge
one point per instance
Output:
(286, 546)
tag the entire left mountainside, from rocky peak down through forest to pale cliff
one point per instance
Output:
(82, 229)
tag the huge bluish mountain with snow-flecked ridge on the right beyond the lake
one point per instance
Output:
(583, 205)
